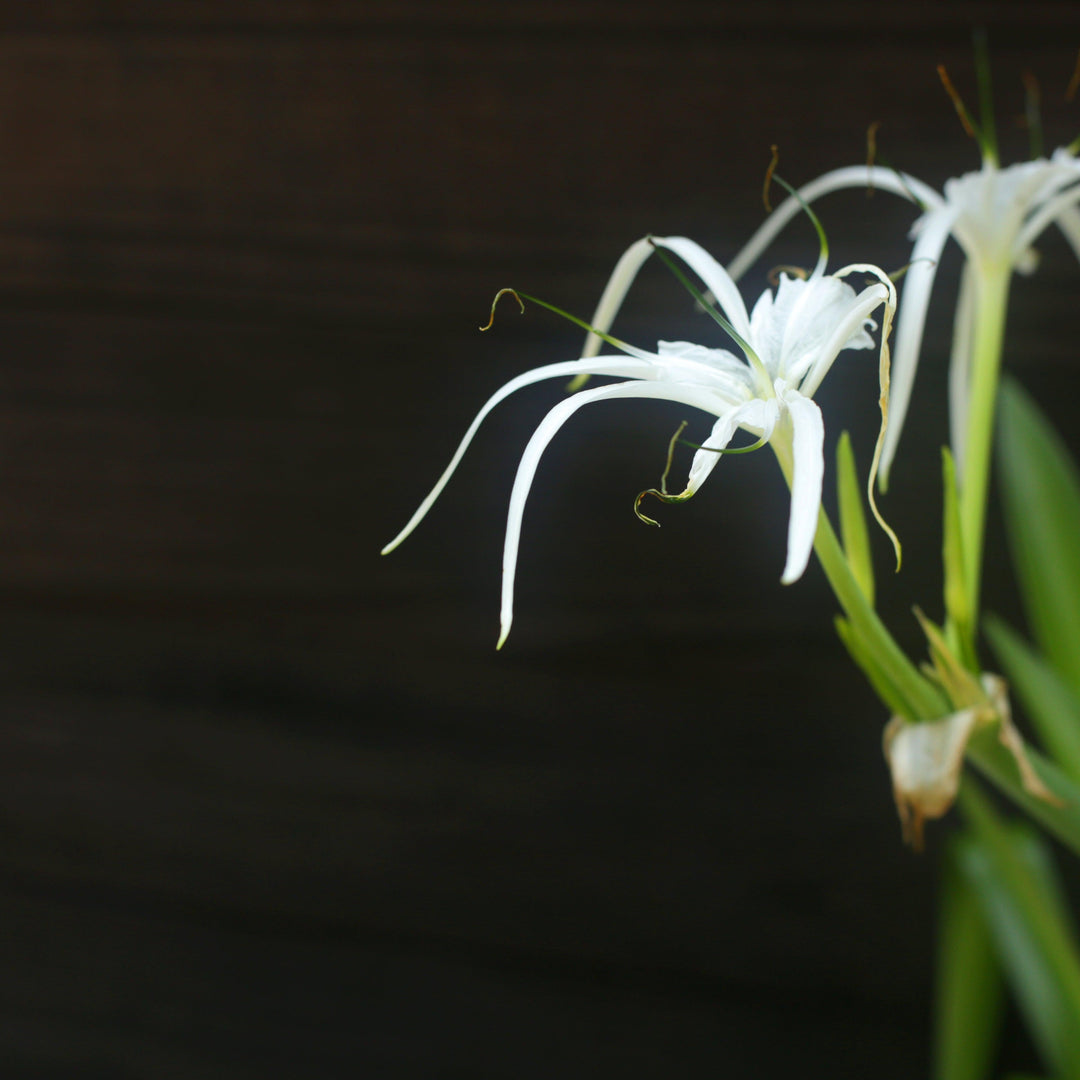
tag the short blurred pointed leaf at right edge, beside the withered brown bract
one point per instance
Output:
(1051, 706)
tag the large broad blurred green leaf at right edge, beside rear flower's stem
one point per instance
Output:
(1042, 496)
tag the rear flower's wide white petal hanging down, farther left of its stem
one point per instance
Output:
(914, 301)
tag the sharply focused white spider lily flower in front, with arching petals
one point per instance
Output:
(791, 341)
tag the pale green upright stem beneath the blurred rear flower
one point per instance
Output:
(992, 300)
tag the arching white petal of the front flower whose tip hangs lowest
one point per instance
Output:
(526, 470)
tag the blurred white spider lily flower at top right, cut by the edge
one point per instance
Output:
(995, 215)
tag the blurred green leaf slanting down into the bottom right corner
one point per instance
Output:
(1034, 939)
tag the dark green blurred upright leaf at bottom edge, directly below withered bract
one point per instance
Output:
(970, 987)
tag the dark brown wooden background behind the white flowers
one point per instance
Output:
(272, 806)
